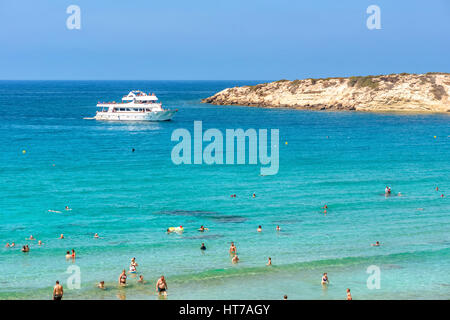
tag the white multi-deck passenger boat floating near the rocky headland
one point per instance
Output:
(136, 106)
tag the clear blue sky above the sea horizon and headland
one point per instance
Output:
(218, 39)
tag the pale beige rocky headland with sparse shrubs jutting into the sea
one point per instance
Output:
(384, 93)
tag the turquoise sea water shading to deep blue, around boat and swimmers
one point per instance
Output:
(130, 198)
